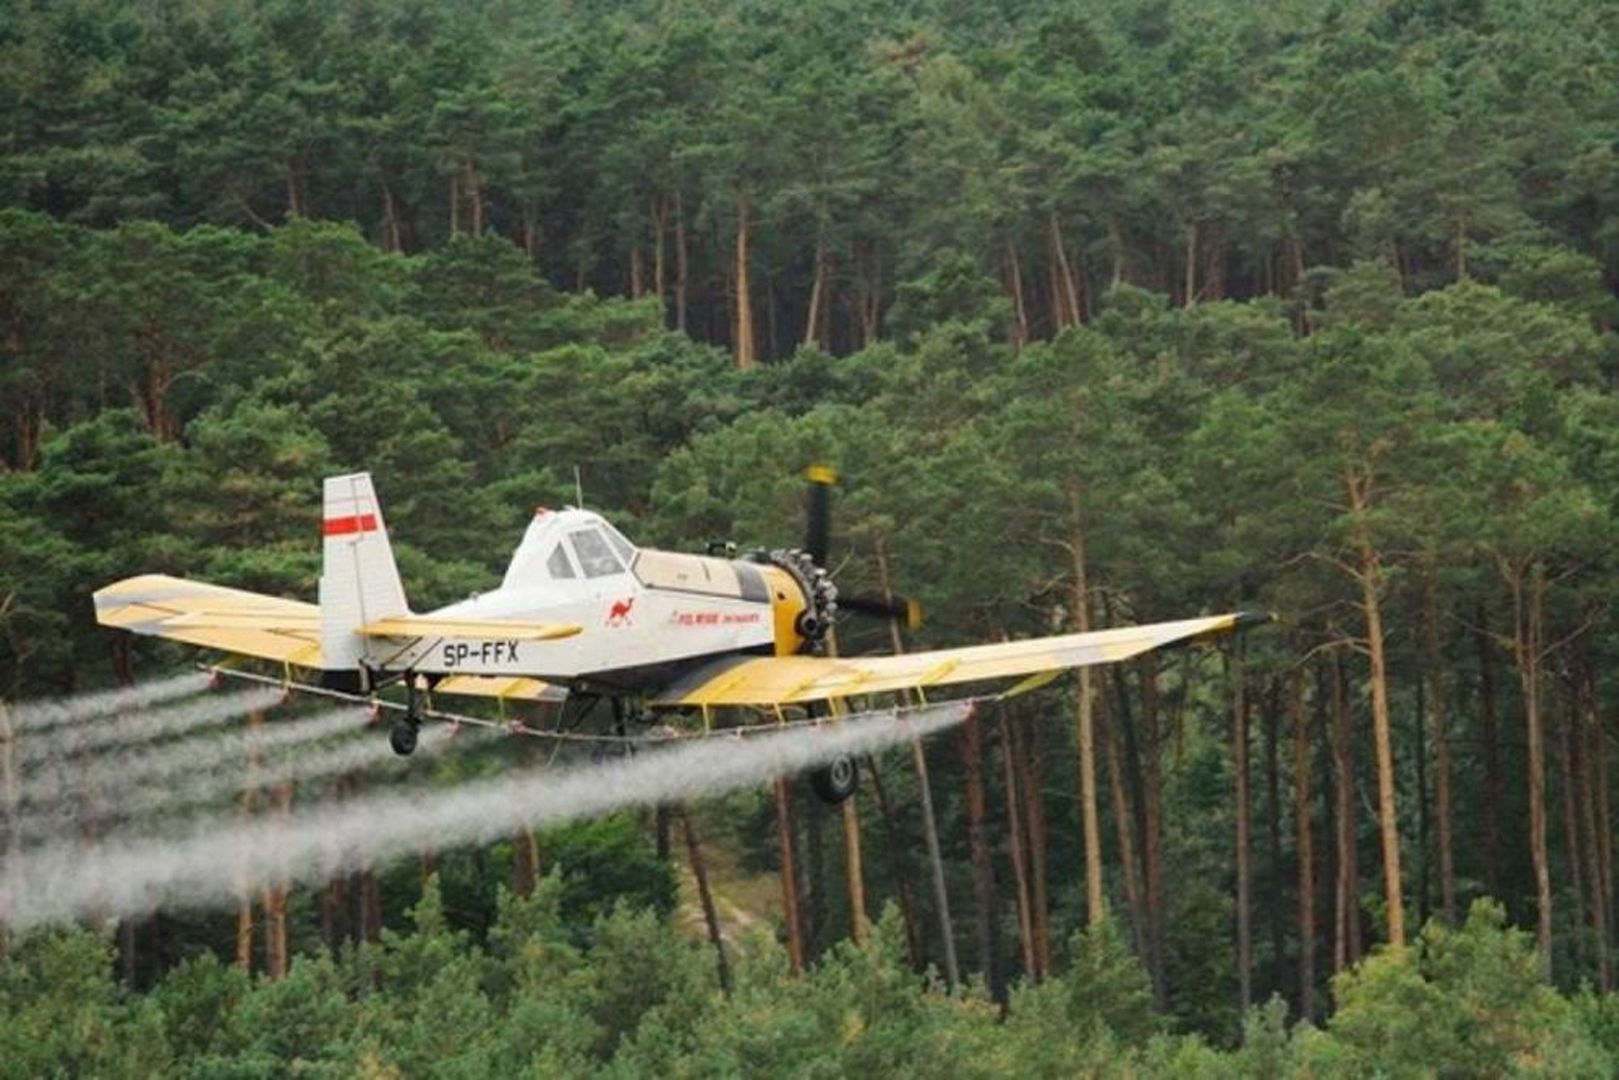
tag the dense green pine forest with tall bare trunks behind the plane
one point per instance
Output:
(1105, 312)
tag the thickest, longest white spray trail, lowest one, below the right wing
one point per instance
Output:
(75, 880)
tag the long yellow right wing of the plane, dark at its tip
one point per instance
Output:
(796, 679)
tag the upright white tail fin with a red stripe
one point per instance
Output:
(360, 584)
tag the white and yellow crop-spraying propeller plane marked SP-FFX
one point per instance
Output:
(585, 610)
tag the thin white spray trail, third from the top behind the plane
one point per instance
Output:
(121, 770)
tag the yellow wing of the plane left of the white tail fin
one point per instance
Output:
(215, 618)
